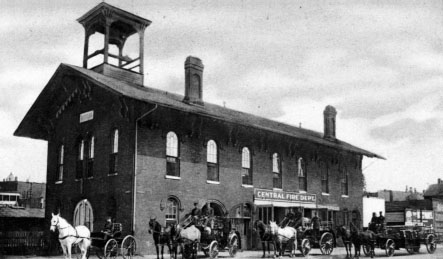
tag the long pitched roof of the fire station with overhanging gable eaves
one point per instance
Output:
(29, 126)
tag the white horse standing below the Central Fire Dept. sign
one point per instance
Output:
(282, 236)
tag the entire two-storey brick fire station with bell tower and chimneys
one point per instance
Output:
(119, 148)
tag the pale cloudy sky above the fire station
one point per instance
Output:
(379, 63)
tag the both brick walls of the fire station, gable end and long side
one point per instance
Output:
(111, 111)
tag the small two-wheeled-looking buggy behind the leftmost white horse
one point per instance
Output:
(110, 246)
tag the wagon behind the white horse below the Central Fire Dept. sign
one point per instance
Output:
(324, 239)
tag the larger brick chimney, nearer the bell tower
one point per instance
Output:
(193, 81)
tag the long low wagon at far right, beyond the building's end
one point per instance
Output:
(407, 237)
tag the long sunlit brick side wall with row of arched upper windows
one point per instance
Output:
(152, 185)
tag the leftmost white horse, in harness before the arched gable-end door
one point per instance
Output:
(69, 235)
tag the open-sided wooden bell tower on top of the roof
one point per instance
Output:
(116, 25)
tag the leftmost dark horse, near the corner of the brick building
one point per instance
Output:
(162, 236)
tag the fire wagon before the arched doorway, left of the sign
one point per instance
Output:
(216, 235)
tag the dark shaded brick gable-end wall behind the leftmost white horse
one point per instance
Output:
(110, 112)
